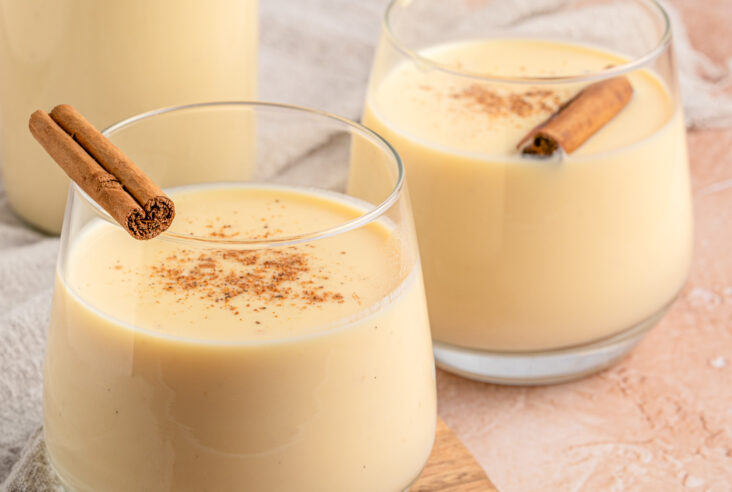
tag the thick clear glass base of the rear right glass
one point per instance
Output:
(545, 367)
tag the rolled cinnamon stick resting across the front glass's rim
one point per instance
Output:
(103, 171)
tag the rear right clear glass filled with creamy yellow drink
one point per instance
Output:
(536, 270)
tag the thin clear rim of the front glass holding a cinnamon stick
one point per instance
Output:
(368, 216)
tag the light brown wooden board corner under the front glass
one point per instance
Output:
(451, 467)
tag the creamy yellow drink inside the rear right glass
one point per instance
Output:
(521, 254)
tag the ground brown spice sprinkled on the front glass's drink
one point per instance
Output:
(264, 276)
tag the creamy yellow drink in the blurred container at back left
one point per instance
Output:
(110, 60)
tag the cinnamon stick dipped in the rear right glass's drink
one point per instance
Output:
(579, 118)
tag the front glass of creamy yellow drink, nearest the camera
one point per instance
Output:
(275, 338)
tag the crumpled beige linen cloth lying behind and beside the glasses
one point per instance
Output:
(313, 52)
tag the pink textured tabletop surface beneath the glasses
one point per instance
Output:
(662, 418)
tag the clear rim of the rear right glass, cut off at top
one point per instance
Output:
(611, 71)
